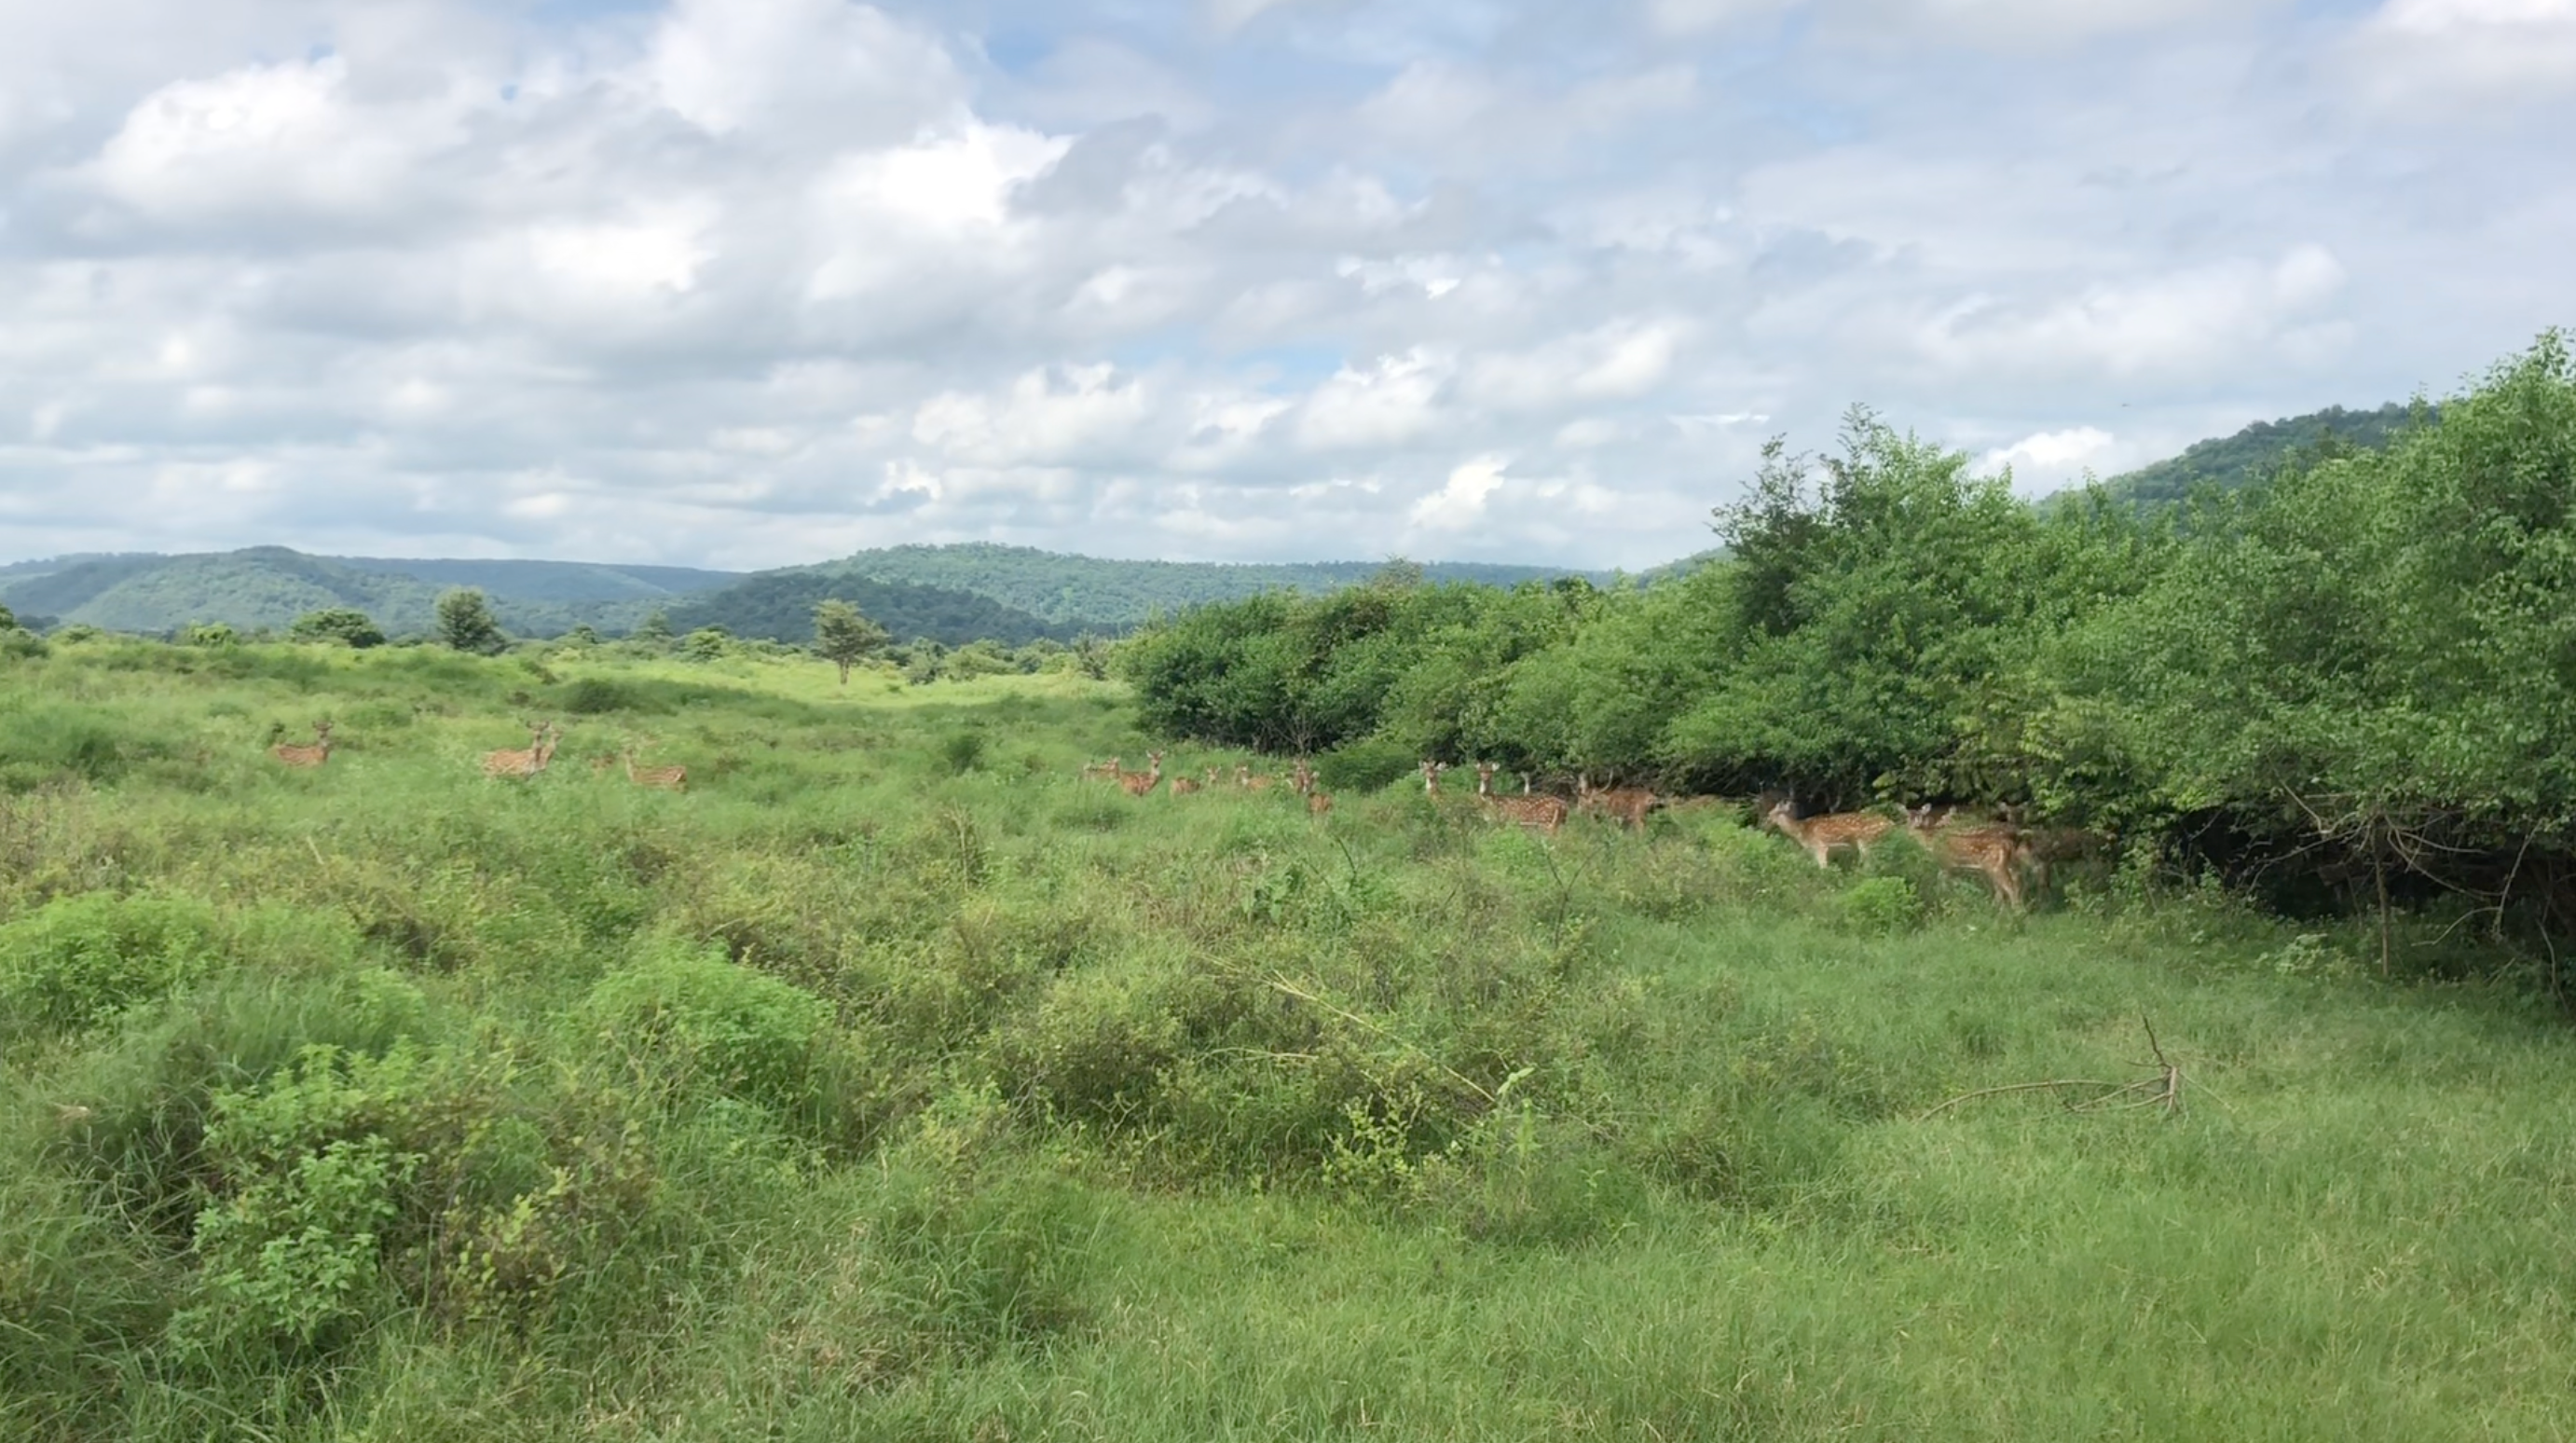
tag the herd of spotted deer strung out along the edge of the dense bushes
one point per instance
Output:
(2003, 852)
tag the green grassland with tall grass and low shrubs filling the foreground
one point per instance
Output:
(898, 1084)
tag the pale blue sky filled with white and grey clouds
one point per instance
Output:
(766, 282)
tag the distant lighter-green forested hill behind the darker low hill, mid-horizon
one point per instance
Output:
(1101, 594)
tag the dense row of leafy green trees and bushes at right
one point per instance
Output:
(2356, 671)
